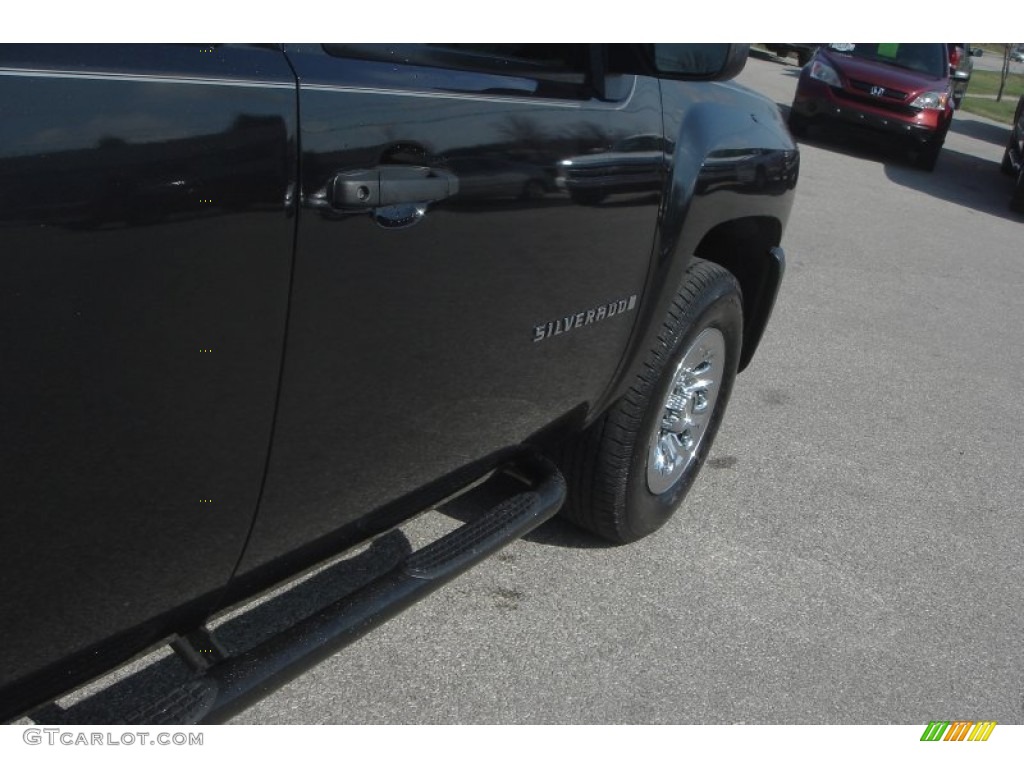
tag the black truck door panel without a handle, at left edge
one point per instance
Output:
(147, 243)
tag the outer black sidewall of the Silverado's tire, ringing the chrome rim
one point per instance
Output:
(720, 309)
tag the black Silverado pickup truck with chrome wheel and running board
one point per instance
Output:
(263, 305)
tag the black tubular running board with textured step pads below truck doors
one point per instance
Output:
(229, 685)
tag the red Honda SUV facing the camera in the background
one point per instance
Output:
(902, 90)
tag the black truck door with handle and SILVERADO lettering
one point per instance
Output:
(476, 231)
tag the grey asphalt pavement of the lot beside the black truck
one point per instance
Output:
(852, 553)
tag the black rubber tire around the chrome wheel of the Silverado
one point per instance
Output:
(609, 467)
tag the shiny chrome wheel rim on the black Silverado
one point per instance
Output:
(687, 411)
